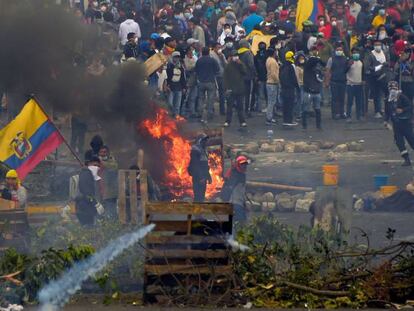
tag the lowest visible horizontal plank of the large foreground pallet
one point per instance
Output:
(182, 269)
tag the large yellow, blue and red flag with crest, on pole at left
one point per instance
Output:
(28, 139)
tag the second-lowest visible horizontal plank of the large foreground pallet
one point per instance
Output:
(185, 253)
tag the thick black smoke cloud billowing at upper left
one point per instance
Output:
(45, 50)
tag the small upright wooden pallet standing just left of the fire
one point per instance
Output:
(128, 197)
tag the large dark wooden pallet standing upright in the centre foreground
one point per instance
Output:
(186, 253)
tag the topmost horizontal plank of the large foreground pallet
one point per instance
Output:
(189, 208)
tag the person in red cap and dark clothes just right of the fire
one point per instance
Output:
(234, 188)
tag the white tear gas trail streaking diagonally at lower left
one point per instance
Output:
(58, 292)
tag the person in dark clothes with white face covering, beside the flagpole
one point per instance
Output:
(90, 185)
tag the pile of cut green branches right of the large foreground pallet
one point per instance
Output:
(311, 268)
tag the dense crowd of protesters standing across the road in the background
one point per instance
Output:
(344, 59)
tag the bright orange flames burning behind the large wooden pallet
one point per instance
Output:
(176, 177)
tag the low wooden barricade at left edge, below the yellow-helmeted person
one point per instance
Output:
(13, 229)
